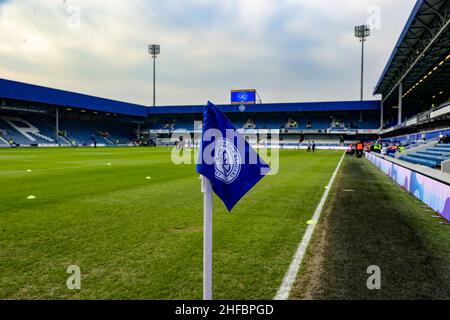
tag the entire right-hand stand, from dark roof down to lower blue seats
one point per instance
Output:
(415, 84)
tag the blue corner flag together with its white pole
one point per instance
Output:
(229, 166)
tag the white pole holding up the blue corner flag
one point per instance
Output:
(207, 238)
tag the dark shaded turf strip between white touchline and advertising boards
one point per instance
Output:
(370, 221)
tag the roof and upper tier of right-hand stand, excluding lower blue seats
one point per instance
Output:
(416, 80)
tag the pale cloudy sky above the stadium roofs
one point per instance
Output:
(289, 50)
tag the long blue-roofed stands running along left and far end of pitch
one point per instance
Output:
(32, 115)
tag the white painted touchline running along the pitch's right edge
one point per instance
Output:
(291, 275)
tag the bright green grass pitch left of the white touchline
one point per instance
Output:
(139, 238)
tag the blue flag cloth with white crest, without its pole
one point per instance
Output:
(226, 158)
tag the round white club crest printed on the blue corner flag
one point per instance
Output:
(227, 161)
